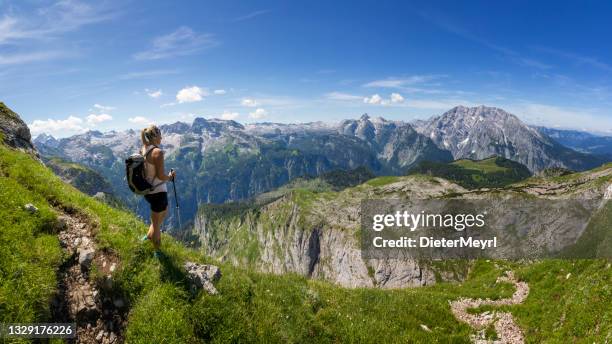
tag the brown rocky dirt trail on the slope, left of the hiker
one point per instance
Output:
(100, 316)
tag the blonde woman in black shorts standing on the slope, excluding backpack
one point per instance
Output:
(155, 175)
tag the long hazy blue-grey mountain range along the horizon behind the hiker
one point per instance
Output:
(223, 160)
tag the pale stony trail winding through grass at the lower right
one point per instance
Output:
(506, 328)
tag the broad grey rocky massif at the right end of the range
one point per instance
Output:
(480, 132)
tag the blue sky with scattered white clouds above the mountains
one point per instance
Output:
(70, 66)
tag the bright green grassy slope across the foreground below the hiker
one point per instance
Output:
(254, 307)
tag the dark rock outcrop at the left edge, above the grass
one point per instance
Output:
(14, 131)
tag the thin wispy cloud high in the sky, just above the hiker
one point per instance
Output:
(181, 42)
